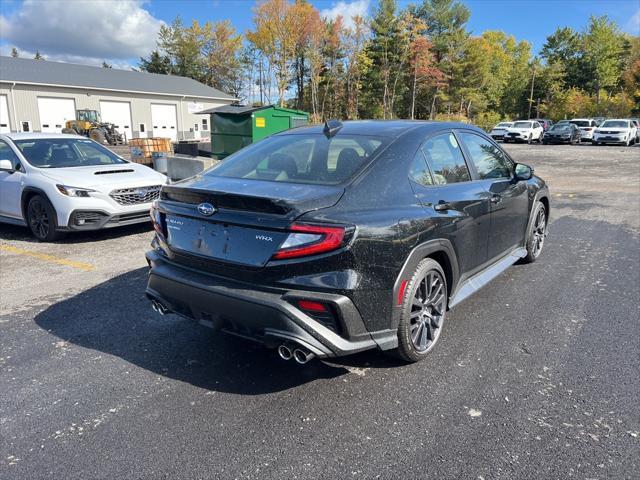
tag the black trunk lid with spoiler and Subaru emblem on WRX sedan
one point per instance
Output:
(249, 220)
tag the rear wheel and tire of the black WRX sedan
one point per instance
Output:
(424, 308)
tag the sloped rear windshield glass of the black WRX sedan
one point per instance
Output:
(311, 158)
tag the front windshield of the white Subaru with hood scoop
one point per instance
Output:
(66, 152)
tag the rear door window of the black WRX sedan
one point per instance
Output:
(446, 160)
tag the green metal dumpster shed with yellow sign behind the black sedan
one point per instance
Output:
(236, 126)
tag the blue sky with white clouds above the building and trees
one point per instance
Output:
(121, 31)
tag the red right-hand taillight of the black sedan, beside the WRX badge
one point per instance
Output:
(307, 240)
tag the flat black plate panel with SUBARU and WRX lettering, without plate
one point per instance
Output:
(222, 241)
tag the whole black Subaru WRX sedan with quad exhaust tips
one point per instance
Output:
(329, 240)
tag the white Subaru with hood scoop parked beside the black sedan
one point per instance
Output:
(55, 183)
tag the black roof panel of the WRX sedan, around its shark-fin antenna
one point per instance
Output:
(381, 128)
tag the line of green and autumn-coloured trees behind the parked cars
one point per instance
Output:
(417, 62)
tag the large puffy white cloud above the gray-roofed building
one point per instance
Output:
(82, 31)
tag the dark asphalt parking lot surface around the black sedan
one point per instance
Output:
(535, 377)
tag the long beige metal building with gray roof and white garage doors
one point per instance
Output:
(40, 96)
